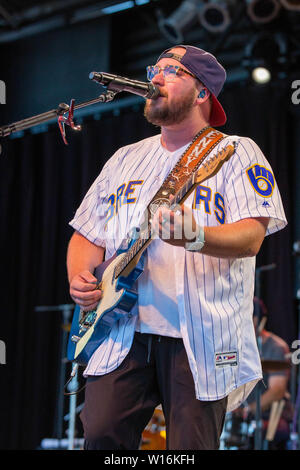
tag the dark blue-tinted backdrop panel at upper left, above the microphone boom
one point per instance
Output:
(44, 70)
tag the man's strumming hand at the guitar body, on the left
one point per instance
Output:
(84, 291)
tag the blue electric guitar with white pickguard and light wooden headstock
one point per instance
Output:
(118, 275)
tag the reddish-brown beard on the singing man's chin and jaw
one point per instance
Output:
(165, 114)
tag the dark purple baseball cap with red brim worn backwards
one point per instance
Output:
(208, 70)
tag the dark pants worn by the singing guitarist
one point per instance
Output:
(119, 405)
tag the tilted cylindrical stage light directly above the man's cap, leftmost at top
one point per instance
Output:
(173, 26)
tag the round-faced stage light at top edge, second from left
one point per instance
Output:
(215, 16)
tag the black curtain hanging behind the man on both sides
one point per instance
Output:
(42, 183)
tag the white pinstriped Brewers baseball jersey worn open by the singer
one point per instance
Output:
(214, 296)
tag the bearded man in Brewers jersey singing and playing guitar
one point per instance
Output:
(189, 342)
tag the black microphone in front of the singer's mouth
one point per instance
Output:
(117, 83)
